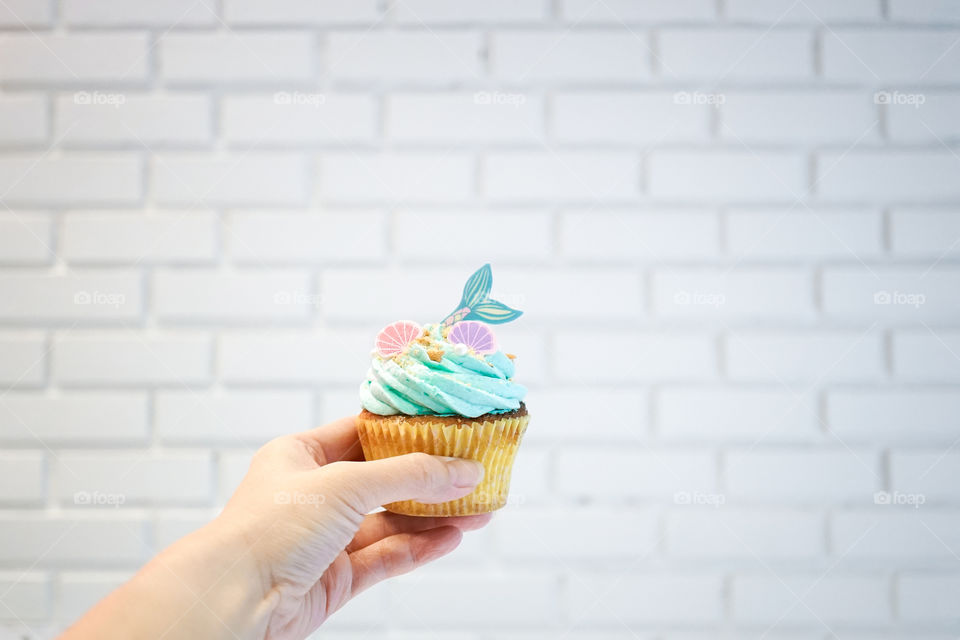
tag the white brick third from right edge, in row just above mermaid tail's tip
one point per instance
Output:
(605, 236)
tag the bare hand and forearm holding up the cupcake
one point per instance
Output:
(295, 542)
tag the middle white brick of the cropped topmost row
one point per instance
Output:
(445, 12)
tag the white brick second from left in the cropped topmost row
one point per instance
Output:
(153, 13)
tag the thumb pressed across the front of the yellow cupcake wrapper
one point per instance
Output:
(413, 476)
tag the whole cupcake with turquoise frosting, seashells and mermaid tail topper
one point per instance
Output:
(447, 389)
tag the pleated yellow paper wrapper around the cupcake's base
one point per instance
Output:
(492, 442)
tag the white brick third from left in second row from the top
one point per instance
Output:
(399, 56)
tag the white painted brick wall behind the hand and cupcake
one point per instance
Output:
(733, 227)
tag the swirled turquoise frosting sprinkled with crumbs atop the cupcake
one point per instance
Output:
(433, 376)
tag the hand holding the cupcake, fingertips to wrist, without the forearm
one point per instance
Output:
(303, 506)
